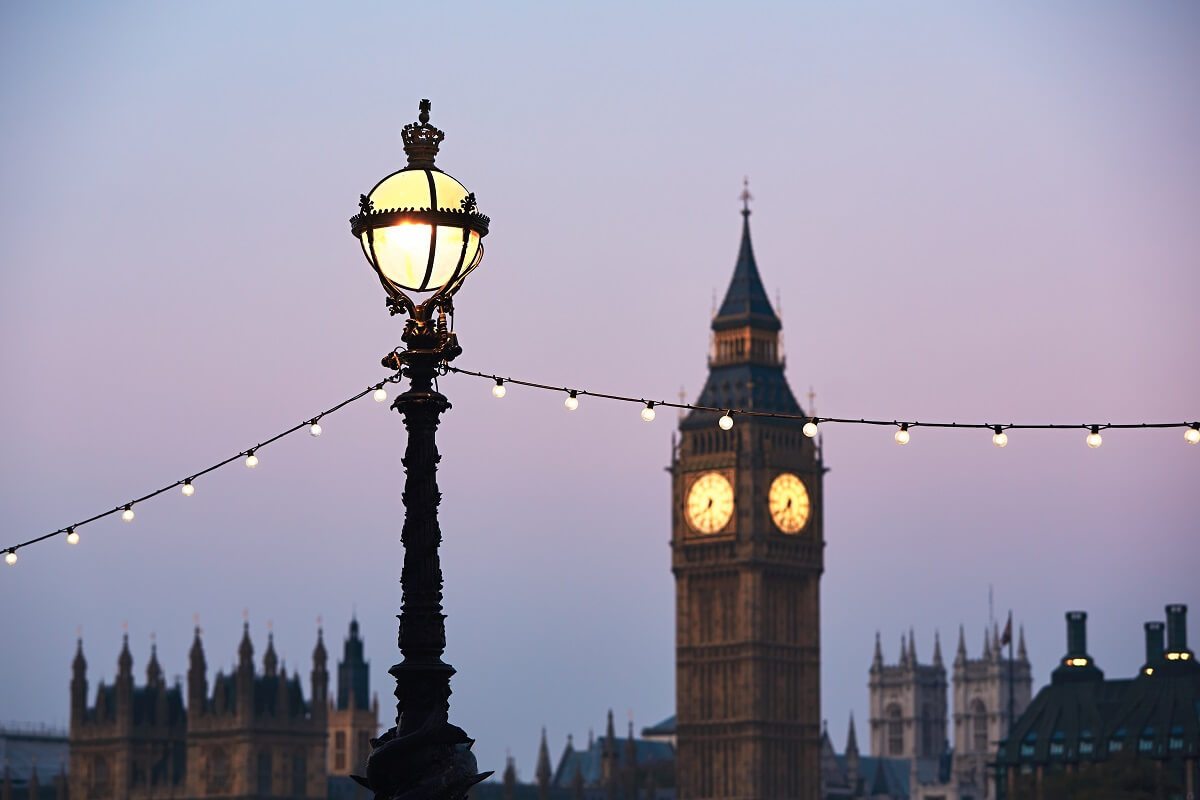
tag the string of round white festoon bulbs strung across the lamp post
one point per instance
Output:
(572, 402)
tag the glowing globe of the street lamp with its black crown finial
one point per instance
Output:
(419, 228)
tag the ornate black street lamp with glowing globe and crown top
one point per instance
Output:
(421, 232)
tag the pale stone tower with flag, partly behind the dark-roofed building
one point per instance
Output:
(982, 703)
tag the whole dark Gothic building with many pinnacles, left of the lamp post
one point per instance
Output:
(250, 735)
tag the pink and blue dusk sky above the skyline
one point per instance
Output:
(974, 213)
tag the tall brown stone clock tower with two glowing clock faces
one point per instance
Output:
(747, 555)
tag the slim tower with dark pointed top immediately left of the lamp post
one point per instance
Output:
(353, 717)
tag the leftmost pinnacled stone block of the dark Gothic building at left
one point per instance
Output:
(130, 744)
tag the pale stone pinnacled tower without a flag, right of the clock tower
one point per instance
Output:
(908, 699)
